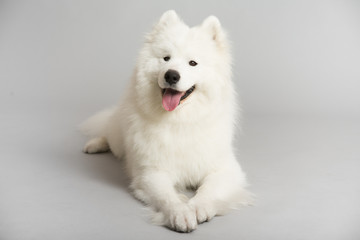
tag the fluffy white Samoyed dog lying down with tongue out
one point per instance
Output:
(175, 124)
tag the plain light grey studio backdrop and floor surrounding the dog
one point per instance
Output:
(296, 67)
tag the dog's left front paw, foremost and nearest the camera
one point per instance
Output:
(181, 218)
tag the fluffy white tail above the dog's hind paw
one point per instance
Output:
(96, 125)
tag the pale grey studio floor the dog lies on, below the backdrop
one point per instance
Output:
(305, 173)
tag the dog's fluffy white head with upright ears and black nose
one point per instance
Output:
(185, 64)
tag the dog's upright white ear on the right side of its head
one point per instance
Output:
(213, 27)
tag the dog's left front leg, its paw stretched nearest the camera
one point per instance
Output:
(157, 189)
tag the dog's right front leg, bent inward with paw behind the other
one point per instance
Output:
(220, 192)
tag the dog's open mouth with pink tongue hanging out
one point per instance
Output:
(172, 98)
